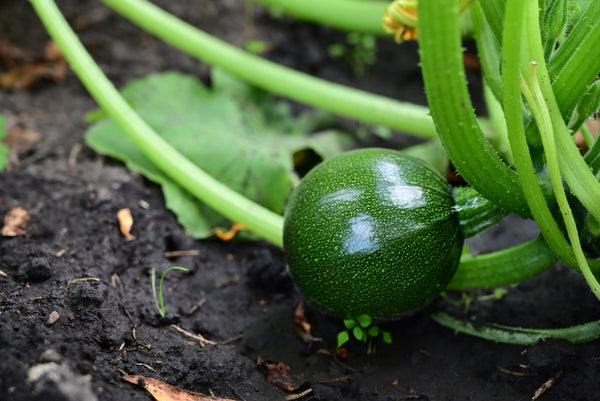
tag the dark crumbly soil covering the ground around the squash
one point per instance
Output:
(74, 261)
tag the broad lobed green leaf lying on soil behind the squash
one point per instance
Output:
(240, 135)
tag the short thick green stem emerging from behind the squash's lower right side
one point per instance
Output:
(508, 266)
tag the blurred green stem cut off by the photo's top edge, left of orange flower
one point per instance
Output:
(347, 15)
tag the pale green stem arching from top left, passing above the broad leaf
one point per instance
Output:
(362, 106)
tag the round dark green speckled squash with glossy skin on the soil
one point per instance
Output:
(371, 232)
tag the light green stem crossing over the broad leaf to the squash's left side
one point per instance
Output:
(231, 204)
